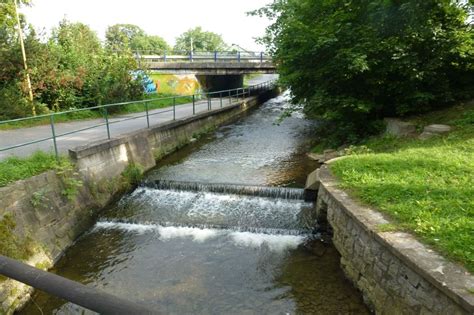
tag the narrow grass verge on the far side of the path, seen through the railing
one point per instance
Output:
(95, 114)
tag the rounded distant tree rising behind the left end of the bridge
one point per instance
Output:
(126, 37)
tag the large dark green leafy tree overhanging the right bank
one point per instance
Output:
(352, 63)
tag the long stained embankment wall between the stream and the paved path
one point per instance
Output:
(43, 215)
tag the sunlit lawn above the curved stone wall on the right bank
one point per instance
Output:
(426, 187)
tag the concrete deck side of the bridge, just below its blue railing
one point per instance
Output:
(212, 68)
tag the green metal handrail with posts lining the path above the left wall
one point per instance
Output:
(233, 95)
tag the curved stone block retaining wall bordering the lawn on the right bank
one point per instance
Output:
(395, 272)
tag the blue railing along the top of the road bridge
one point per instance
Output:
(197, 56)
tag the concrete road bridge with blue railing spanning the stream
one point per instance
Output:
(214, 70)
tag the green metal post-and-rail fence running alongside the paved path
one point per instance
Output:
(217, 99)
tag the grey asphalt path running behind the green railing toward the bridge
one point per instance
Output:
(117, 127)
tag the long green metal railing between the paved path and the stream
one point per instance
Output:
(201, 102)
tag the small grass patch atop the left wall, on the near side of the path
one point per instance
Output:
(14, 168)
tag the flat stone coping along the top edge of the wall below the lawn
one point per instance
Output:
(451, 279)
